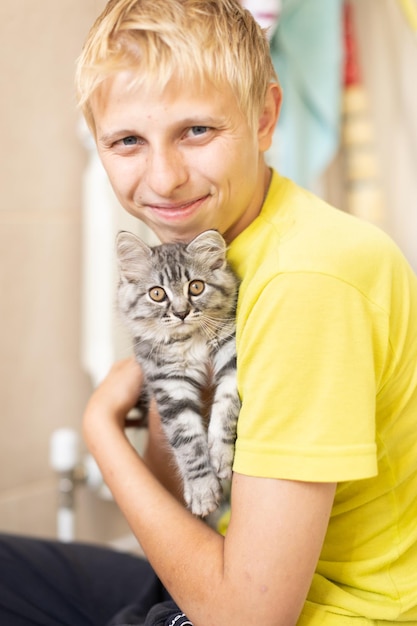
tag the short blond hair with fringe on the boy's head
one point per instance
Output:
(191, 40)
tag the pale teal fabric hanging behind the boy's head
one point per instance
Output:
(307, 51)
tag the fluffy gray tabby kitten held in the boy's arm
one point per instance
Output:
(179, 302)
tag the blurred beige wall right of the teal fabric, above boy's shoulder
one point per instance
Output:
(387, 48)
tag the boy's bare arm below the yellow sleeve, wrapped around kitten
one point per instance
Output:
(259, 573)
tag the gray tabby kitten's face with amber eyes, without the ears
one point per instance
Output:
(174, 289)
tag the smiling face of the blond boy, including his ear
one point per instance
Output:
(183, 160)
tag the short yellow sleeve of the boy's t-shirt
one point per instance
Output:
(308, 358)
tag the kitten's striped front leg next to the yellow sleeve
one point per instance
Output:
(224, 412)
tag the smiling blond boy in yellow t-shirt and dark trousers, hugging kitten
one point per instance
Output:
(182, 99)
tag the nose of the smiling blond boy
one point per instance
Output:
(166, 171)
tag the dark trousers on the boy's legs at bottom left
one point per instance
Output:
(46, 583)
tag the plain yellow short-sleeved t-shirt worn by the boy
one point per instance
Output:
(327, 373)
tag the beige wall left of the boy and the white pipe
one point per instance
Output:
(42, 386)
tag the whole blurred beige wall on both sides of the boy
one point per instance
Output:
(43, 385)
